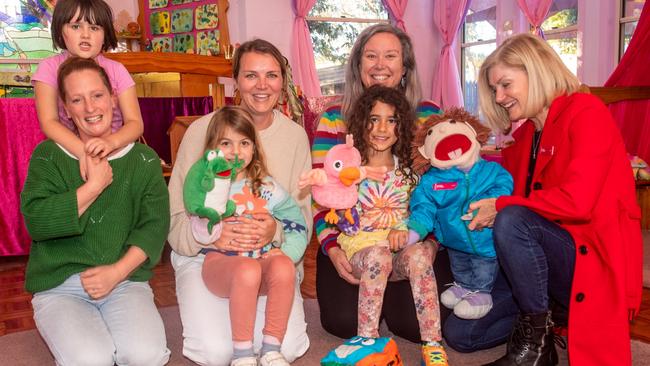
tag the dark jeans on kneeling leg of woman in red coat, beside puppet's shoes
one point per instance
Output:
(489, 331)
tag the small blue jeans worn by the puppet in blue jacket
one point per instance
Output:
(473, 272)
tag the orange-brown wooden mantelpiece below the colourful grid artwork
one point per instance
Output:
(198, 73)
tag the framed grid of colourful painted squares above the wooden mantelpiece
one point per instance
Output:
(187, 26)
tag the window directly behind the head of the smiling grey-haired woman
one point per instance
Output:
(334, 26)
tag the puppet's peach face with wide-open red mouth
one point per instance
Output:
(451, 143)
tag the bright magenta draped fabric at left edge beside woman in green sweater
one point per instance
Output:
(19, 135)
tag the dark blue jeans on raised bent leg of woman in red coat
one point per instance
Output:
(537, 256)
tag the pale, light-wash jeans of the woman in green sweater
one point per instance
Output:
(123, 327)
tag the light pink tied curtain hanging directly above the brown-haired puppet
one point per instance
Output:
(448, 15)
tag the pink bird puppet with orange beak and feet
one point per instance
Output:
(335, 185)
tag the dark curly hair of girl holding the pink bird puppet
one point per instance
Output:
(360, 126)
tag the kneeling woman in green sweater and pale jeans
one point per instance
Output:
(94, 243)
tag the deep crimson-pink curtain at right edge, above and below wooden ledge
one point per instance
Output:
(633, 117)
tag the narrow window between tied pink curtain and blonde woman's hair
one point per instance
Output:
(478, 41)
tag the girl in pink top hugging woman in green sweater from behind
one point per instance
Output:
(85, 29)
